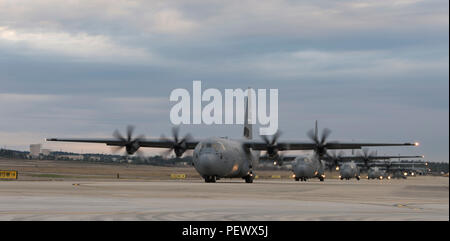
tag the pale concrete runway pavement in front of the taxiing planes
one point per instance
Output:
(419, 198)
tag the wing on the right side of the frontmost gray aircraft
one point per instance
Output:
(284, 146)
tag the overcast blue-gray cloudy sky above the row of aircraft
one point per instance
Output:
(368, 70)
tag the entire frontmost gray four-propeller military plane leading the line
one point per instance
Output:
(215, 157)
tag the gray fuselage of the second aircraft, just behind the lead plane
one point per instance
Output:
(305, 167)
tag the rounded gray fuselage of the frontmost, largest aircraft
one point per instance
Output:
(222, 158)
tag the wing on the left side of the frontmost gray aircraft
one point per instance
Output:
(153, 142)
